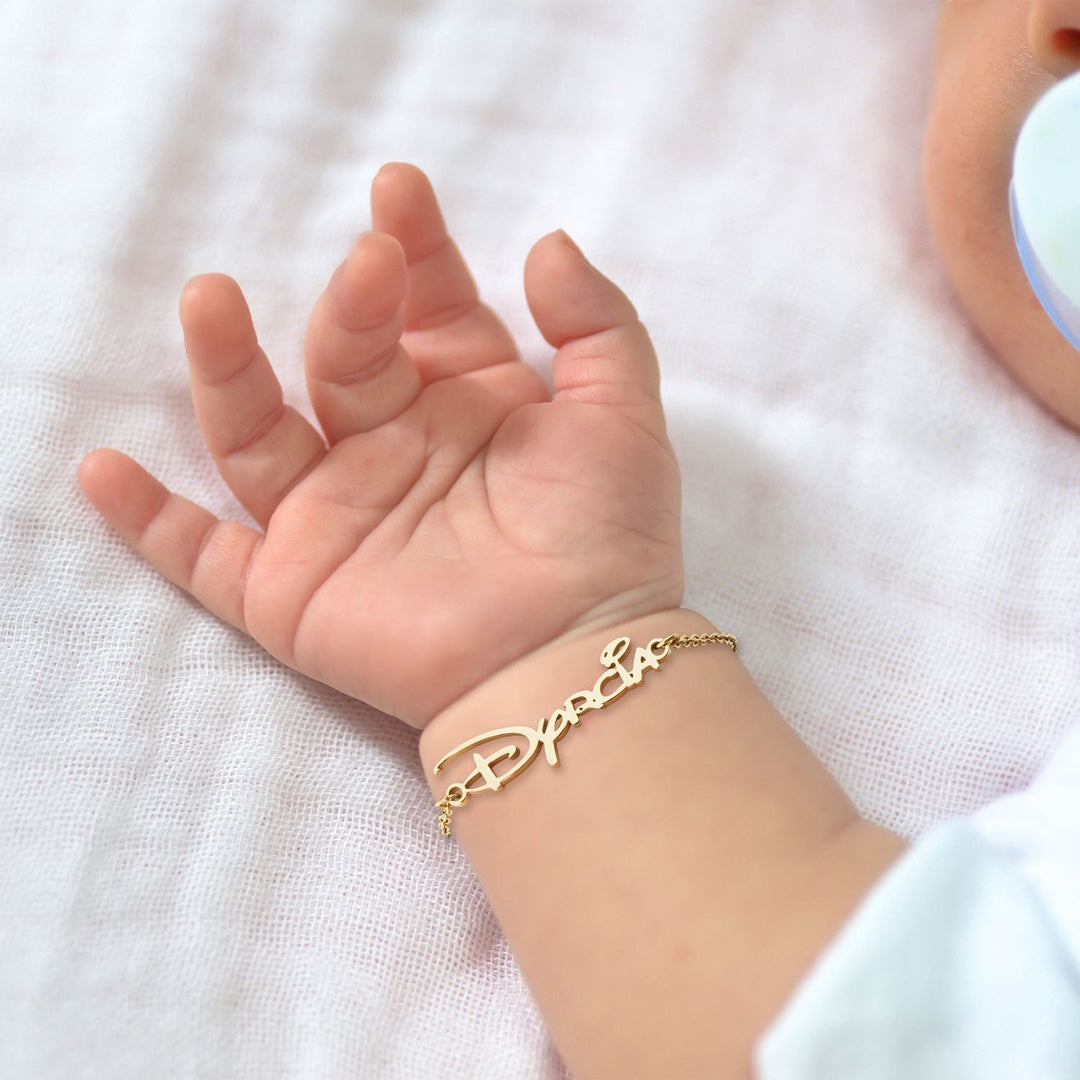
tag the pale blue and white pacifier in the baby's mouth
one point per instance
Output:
(1045, 204)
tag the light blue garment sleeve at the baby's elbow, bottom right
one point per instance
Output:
(950, 970)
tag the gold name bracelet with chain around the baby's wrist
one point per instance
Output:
(552, 728)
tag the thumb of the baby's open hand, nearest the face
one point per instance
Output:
(605, 356)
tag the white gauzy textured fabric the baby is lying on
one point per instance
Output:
(211, 867)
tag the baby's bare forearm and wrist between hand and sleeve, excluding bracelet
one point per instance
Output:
(668, 886)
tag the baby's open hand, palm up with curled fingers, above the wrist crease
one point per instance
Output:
(452, 518)
